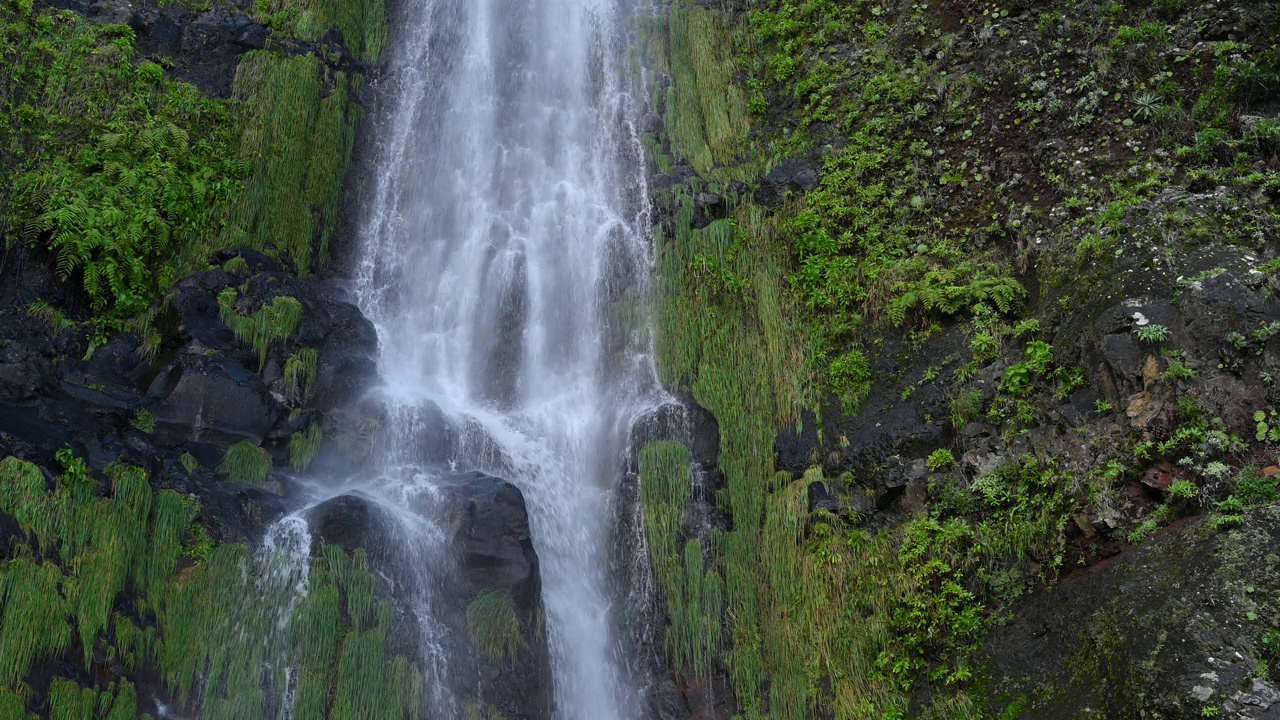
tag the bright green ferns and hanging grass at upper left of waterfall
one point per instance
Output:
(132, 180)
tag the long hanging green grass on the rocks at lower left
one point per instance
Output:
(209, 628)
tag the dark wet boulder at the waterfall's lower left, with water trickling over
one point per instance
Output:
(487, 549)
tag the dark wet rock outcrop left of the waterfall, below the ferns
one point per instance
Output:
(202, 393)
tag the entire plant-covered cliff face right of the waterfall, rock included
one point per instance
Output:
(981, 297)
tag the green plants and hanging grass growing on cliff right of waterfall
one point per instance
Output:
(929, 213)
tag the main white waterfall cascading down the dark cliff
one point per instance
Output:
(504, 262)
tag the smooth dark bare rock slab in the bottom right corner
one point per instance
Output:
(1164, 631)
